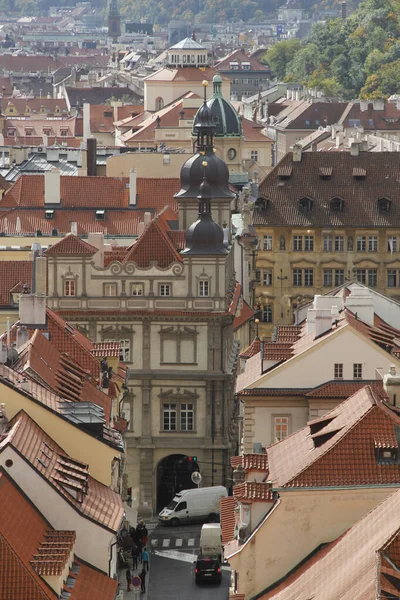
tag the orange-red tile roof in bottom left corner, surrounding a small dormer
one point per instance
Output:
(22, 533)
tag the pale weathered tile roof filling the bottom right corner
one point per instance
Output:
(355, 565)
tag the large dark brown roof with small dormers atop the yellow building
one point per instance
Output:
(360, 195)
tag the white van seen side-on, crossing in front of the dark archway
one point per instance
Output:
(199, 504)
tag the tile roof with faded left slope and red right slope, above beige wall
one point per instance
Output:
(339, 448)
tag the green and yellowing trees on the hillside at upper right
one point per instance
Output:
(356, 57)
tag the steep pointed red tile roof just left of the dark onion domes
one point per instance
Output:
(154, 246)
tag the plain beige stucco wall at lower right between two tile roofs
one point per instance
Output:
(295, 527)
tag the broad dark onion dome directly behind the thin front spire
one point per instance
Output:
(192, 176)
